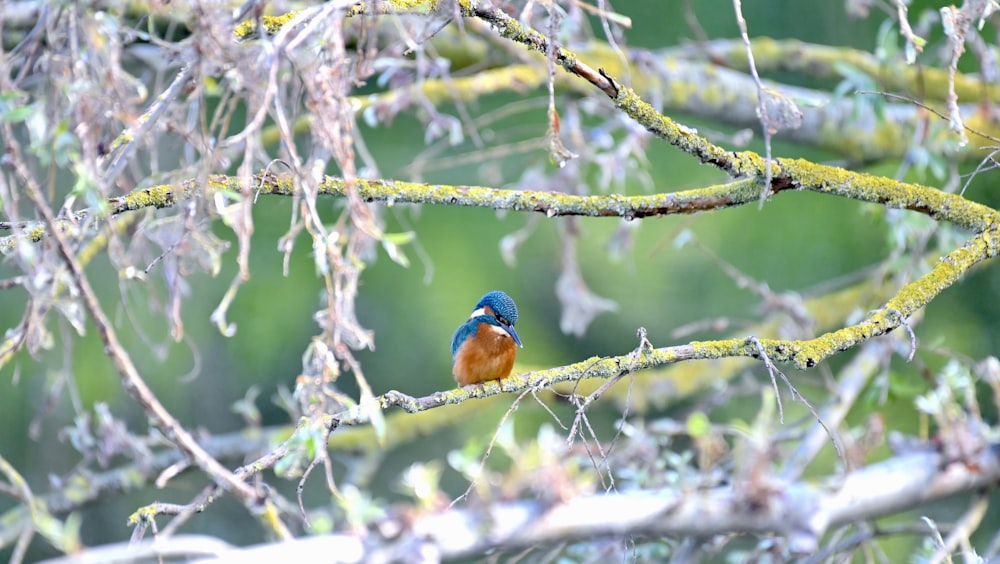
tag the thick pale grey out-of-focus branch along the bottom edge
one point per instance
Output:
(799, 511)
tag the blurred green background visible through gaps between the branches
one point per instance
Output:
(795, 242)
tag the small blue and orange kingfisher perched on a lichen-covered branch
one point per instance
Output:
(482, 348)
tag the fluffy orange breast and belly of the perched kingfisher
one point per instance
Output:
(487, 355)
